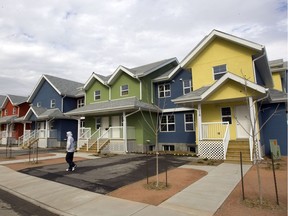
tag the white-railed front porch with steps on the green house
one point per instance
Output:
(108, 140)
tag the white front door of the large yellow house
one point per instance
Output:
(243, 123)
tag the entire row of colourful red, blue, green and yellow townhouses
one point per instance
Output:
(220, 95)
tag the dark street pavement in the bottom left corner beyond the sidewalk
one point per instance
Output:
(11, 205)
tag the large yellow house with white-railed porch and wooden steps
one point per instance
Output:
(230, 75)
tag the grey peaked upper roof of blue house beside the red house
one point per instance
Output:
(62, 86)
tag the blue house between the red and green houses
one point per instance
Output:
(49, 100)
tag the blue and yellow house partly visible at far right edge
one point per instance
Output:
(273, 112)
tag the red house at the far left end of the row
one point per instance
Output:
(13, 110)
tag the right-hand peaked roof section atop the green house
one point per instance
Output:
(141, 71)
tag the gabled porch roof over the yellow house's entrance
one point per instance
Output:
(204, 92)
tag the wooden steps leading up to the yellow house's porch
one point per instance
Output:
(234, 149)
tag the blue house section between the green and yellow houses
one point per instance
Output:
(176, 124)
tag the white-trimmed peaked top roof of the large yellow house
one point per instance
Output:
(260, 59)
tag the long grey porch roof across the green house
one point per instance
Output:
(118, 105)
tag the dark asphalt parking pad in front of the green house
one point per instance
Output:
(104, 175)
